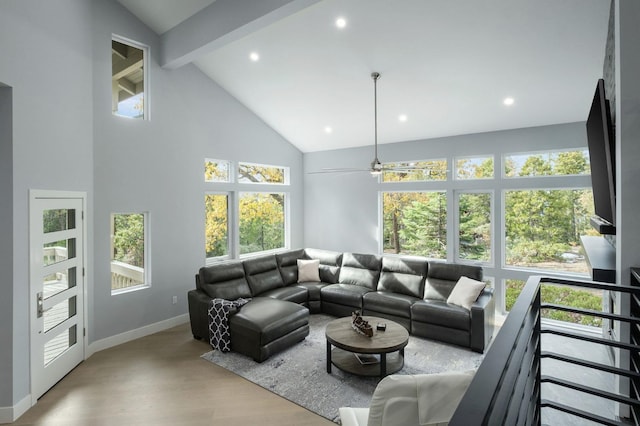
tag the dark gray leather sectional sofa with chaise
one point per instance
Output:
(411, 291)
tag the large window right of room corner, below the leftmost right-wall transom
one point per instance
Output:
(415, 223)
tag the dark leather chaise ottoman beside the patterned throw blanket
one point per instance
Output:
(265, 326)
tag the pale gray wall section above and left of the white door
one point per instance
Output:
(48, 64)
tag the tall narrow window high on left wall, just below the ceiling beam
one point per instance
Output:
(128, 79)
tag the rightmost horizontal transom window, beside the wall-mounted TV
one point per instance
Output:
(552, 163)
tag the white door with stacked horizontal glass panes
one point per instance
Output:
(56, 234)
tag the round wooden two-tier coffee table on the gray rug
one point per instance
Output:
(344, 345)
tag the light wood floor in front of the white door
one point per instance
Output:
(161, 380)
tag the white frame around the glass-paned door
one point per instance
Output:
(54, 194)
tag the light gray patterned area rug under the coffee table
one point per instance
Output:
(299, 373)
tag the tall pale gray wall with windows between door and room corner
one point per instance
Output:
(157, 166)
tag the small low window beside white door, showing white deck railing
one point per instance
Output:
(129, 256)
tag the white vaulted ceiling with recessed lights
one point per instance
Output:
(446, 64)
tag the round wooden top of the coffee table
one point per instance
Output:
(340, 334)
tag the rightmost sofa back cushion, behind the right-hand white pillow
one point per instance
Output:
(442, 278)
